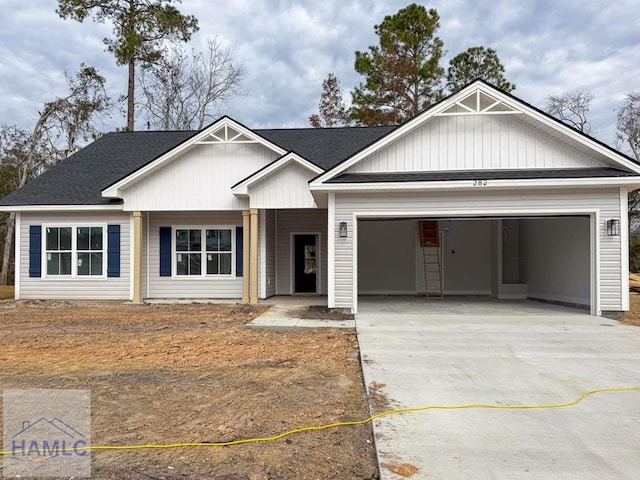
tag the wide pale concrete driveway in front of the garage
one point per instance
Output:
(504, 353)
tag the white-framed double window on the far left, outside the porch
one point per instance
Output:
(74, 251)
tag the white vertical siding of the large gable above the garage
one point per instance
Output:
(475, 142)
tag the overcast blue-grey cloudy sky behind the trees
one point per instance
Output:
(289, 47)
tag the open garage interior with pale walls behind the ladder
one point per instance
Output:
(544, 258)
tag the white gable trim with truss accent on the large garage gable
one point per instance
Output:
(478, 98)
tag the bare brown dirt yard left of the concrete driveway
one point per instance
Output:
(184, 373)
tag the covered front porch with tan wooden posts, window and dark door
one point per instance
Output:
(247, 255)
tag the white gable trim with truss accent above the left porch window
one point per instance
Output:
(224, 130)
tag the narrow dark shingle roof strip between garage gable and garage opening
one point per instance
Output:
(444, 175)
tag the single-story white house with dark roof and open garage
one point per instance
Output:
(526, 207)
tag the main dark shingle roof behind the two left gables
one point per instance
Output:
(80, 179)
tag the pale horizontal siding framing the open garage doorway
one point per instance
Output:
(604, 202)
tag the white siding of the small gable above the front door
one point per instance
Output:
(285, 188)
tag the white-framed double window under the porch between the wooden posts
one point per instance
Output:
(203, 251)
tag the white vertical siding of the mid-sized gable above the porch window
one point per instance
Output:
(200, 179)
